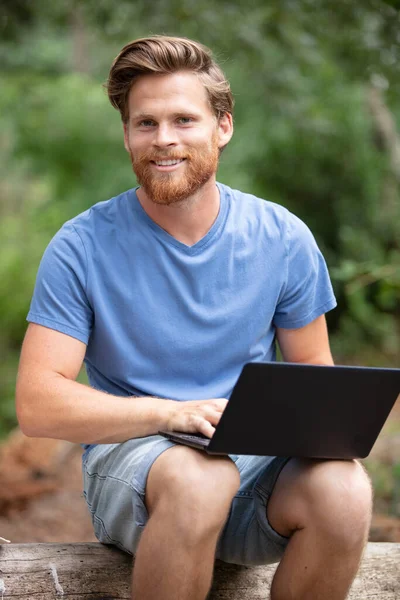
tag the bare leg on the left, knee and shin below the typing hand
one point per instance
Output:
(188, 495)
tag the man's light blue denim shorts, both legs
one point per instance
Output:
(115, 476)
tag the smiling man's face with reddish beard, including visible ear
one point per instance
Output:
(172, 136)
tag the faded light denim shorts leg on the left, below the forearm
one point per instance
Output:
(114, 480)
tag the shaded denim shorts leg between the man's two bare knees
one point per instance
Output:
(248, 538)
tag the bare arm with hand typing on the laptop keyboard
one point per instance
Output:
(50, 403)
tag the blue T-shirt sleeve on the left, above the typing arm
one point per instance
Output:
(59, 299)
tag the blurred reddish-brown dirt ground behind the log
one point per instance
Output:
(41, 496)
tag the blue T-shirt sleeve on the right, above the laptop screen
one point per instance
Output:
(307, 292)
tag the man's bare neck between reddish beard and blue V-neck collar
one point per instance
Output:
(187, 221)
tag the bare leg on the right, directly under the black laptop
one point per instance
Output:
(326, 506)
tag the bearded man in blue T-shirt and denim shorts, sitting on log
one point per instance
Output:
(166, 291)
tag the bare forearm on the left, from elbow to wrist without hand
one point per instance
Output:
(56, 407)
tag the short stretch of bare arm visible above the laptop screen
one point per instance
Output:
(308, 344)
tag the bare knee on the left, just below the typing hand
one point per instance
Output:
(191, 490)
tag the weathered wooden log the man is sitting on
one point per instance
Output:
(98, 572)
